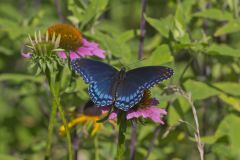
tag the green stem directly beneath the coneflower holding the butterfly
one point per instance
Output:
(121, 135)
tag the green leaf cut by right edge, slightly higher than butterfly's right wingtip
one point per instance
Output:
(223, 50)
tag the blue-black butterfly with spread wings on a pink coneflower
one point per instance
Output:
(108, 86)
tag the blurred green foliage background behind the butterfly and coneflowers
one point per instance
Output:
(199, 39)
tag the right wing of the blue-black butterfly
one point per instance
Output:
(131, 90)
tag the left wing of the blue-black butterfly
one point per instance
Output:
(100, 77)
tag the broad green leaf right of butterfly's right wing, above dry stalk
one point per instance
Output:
(200, 90)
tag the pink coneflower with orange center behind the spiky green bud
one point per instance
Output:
(70, 43)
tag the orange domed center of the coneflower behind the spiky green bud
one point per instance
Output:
(71, 37)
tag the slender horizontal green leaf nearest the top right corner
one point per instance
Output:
(215, 14)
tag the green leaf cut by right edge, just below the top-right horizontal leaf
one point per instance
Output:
(230, 27)
